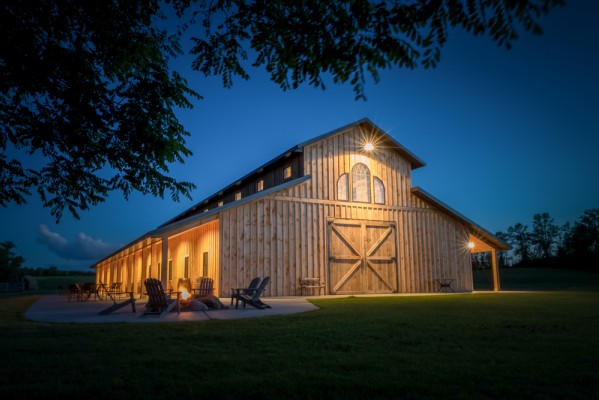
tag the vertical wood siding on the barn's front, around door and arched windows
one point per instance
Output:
(284, 235)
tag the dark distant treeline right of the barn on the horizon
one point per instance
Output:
(573, 246)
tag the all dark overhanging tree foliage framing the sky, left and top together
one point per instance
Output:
(87, 90)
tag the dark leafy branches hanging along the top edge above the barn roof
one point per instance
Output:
(300, 41)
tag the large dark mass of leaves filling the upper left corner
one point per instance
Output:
(88, 90)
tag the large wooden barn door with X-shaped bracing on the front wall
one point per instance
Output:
(362, 257)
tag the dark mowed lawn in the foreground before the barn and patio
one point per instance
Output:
(520, 345)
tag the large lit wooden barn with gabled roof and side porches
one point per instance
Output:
(340, 207)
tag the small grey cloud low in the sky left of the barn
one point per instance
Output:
(83, 247)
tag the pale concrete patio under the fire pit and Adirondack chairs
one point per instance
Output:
(55, 308)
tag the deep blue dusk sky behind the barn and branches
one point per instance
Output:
(505, 135)
